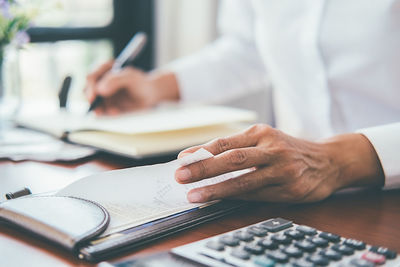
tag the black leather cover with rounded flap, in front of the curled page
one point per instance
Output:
(75, 223)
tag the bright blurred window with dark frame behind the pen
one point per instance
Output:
(73, 38)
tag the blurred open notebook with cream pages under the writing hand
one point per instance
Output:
(141, 134)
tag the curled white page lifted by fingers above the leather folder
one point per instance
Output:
(134, 196)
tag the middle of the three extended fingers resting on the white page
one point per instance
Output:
(232, 160)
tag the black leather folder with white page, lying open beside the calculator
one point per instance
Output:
(103, 214)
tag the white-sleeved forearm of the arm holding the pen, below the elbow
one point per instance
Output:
(225, 69)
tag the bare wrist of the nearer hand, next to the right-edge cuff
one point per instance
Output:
(356, 160)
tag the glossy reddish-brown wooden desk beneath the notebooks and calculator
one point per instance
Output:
(369, 215)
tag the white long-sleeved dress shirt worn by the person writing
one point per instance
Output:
(334, 66)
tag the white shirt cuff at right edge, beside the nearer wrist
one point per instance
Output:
(386, 141)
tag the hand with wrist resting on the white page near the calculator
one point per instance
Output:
(285, 169)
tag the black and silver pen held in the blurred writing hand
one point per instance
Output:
(129, 53)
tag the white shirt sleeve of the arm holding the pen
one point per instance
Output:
(228, 67)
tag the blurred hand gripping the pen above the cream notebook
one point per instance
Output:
(129, 89)
